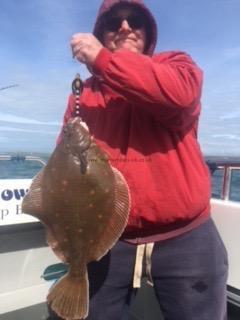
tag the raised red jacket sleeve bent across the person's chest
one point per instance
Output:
(167, 80)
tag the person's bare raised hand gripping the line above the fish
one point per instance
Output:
(85, 47)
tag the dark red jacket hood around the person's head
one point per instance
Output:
(151, 29)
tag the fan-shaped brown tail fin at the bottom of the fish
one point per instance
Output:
(69, 297)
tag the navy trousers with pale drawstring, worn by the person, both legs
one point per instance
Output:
(189, 274)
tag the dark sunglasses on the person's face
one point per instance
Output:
(135, 21)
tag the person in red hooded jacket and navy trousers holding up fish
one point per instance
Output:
(143, 110)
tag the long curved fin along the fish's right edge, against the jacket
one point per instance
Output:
(119, 218)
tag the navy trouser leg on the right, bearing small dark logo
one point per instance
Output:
(190, 274)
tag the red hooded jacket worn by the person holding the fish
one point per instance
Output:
(143, 109)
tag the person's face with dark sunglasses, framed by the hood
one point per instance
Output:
(124, 29)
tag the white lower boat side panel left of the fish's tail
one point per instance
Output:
(20, 278)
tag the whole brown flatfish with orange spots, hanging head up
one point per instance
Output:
(84, 204)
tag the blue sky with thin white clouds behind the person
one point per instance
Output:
(35, 56)
